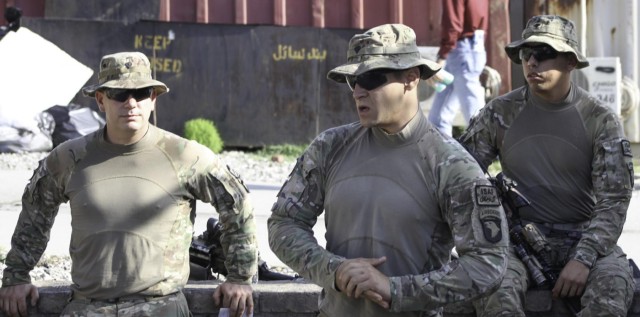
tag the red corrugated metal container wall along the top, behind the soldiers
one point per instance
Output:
(422, 15)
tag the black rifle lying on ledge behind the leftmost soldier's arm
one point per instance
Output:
(206, 251)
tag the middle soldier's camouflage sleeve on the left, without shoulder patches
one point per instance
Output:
(298, 205)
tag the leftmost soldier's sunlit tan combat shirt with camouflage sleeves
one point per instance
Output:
(132, 215)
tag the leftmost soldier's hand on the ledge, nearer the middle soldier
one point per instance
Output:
(237, 297)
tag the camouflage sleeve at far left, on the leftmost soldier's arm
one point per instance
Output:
(40, 203)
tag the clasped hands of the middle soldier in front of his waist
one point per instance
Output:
(359, 277)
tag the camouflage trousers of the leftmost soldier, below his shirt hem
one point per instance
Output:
(174, 305)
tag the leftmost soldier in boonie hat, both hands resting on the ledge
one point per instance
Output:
(131, 187)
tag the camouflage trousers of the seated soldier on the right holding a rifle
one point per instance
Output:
(609, 289)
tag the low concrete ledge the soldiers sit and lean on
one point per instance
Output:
(293, 299)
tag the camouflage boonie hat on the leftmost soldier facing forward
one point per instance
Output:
(125, 70)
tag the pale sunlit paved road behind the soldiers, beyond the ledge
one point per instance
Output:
(263, 196)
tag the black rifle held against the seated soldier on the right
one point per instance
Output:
(528, 242)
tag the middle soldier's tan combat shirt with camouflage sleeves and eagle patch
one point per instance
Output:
(412, 197)
